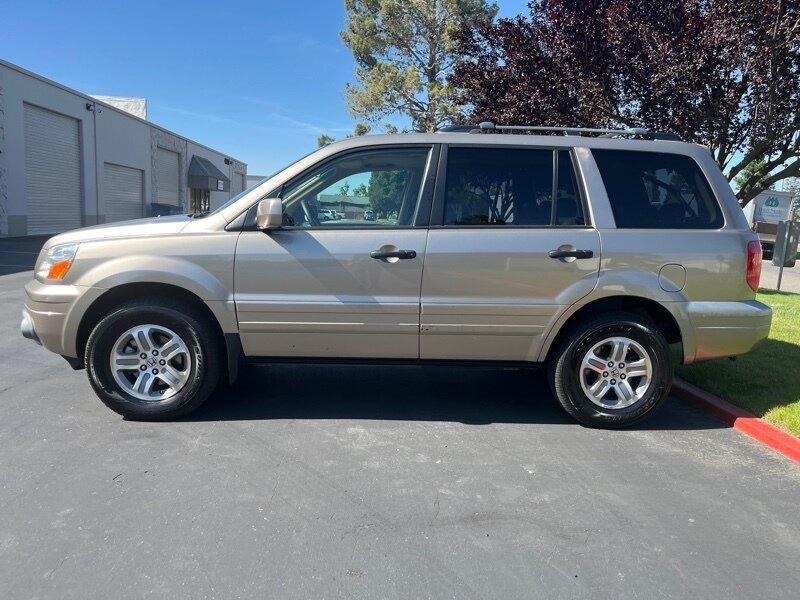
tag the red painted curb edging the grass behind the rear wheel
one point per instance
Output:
(740, 419)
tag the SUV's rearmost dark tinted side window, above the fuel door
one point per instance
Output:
(652, 190)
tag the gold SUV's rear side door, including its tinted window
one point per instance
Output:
(509, 249)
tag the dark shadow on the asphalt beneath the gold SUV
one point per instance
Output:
(469, 395)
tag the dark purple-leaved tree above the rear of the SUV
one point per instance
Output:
(721, 73)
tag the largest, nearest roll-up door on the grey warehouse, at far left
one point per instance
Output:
(53, 186)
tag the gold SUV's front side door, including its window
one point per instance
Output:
(342, 277)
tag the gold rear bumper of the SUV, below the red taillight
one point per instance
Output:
(728, 328)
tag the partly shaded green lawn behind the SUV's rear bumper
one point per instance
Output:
(767, 380)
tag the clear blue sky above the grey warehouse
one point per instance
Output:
(257, 80)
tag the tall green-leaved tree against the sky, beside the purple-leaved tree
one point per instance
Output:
(404, 52)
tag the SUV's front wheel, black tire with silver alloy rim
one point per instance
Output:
(193, 368)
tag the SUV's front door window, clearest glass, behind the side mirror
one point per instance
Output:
(362, 189)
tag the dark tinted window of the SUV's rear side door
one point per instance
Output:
(510, 187)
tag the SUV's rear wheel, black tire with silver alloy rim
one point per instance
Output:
(614, 410)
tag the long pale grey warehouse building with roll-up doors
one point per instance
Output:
(68, 160)
